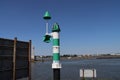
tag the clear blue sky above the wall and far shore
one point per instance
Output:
(87, 26)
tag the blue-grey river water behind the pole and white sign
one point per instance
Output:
(106, 69)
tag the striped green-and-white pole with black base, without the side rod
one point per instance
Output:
(56, 65)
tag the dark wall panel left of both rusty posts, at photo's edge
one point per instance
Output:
(6, 52)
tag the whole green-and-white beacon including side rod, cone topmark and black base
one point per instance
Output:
(56, 65)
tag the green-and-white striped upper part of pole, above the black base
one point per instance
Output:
(56, 46)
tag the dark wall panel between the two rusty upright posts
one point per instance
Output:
(22, 59)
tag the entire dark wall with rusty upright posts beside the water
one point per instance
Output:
(14, 59)
